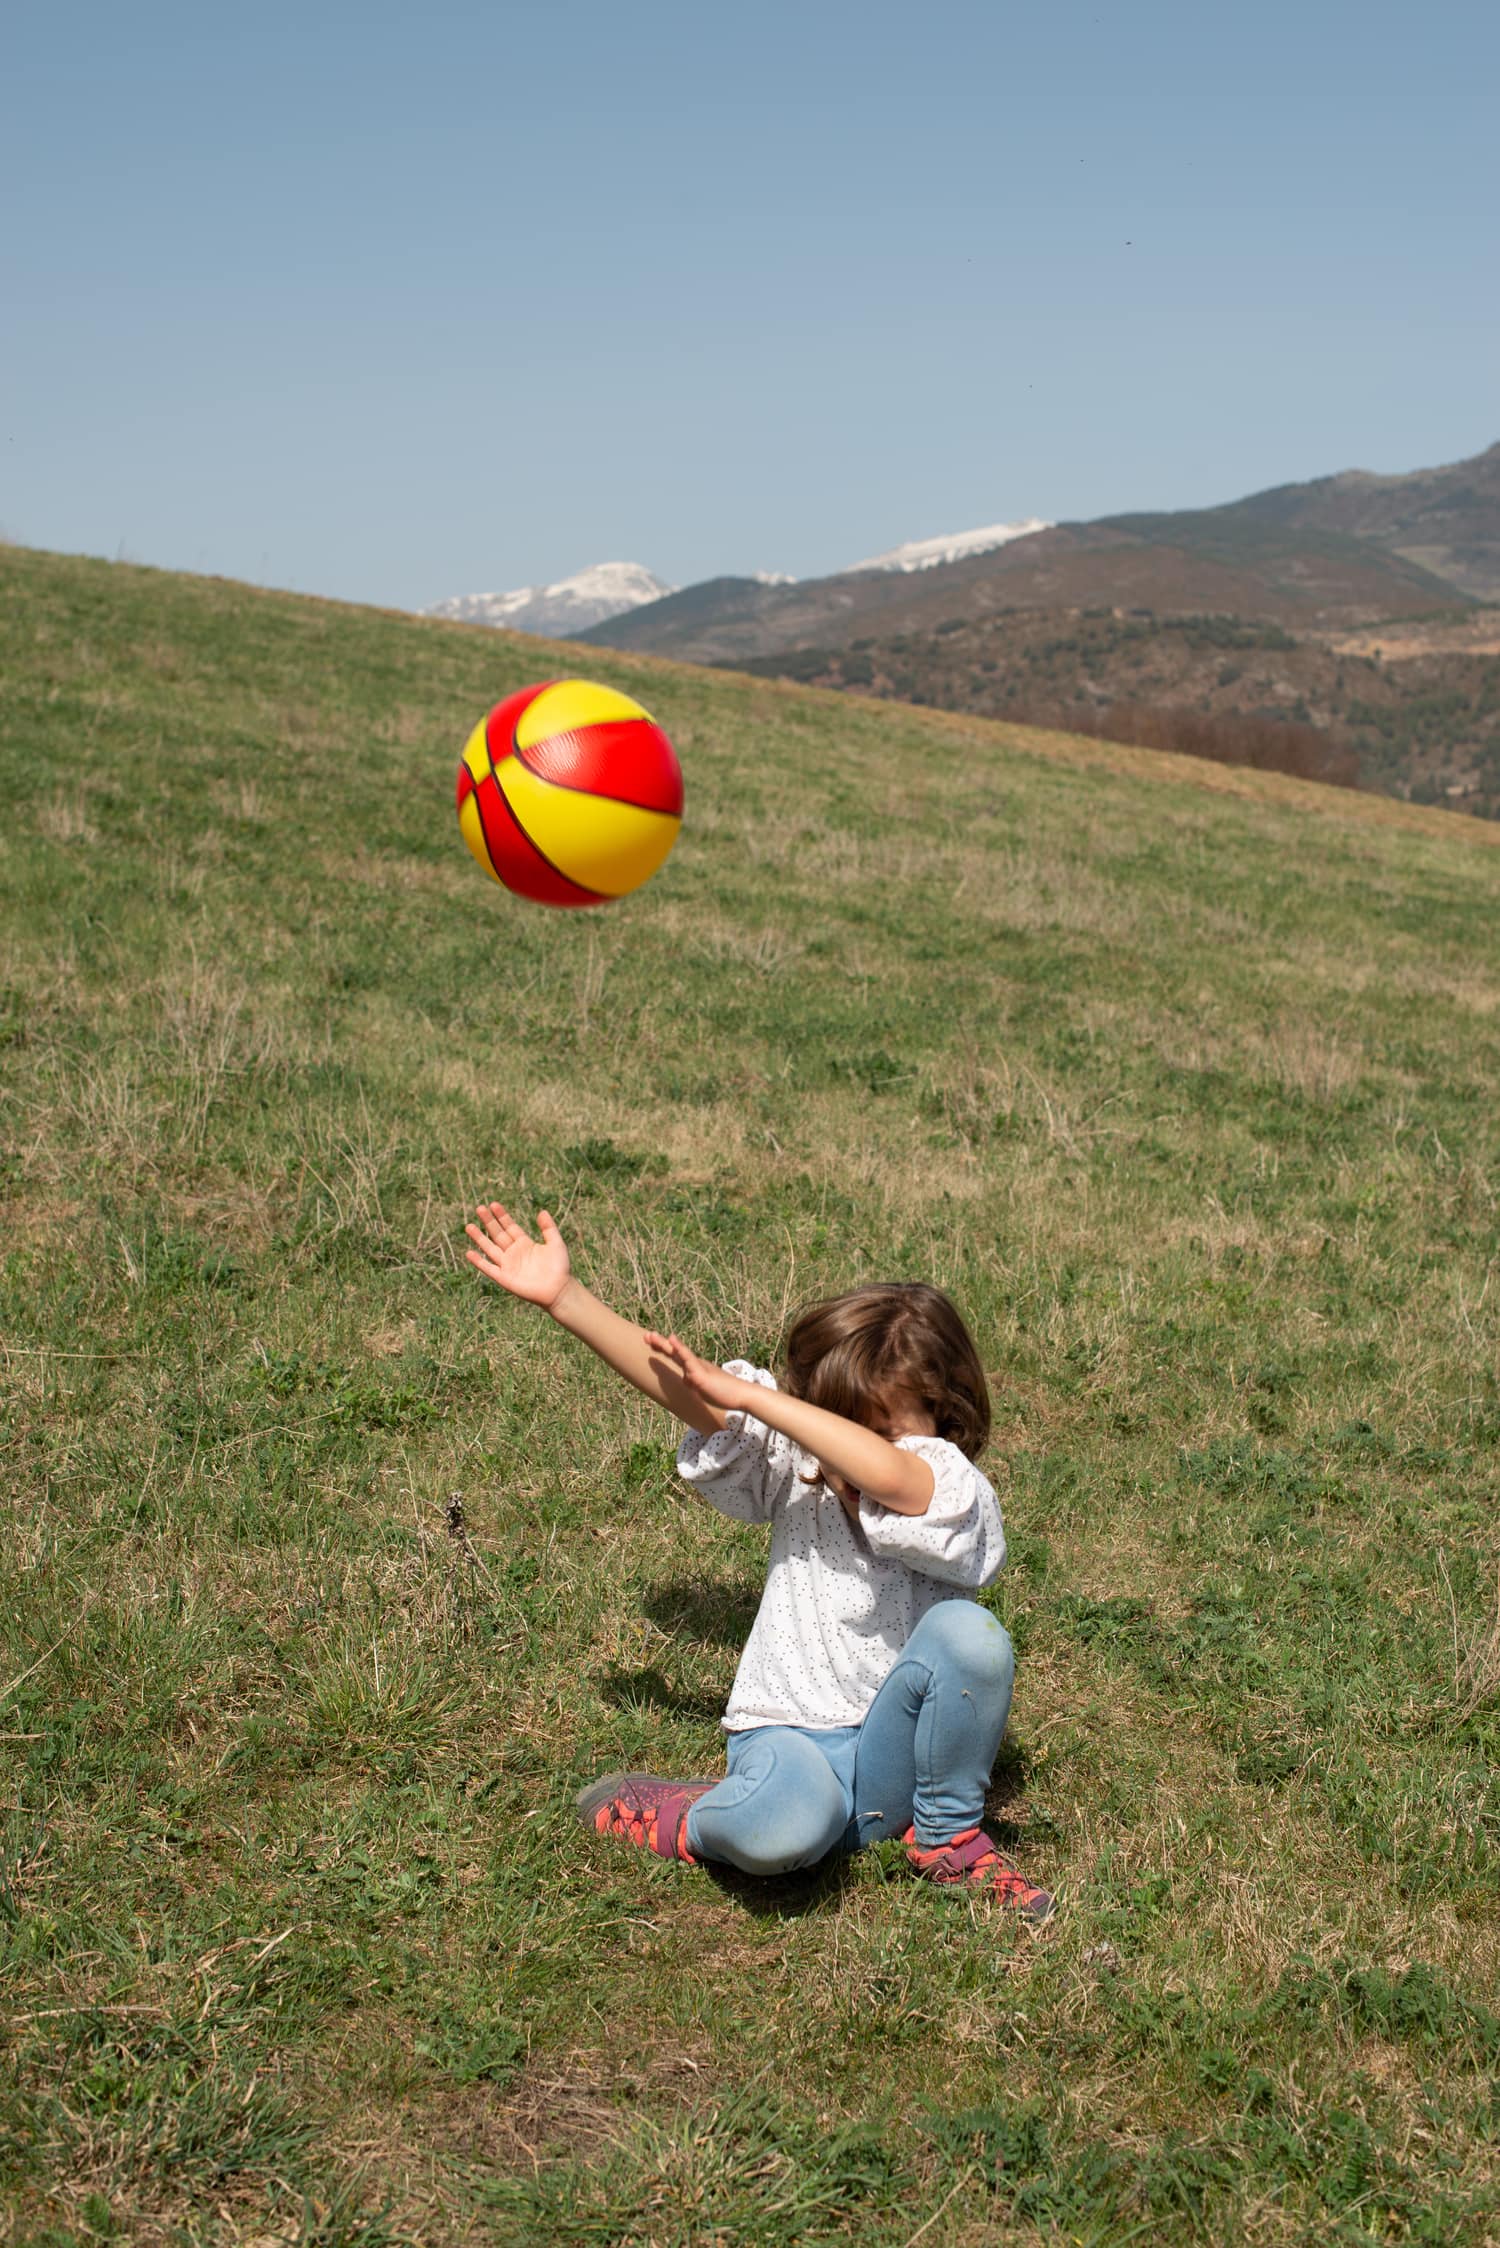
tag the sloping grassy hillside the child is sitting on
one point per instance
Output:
(1180, 1078)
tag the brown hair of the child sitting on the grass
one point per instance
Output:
(853, 1352)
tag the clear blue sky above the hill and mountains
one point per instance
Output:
(410, 302)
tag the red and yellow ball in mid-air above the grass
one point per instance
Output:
(570, 795)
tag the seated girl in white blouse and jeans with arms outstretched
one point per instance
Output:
(874, 1692)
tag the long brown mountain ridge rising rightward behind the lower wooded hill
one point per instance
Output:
(1328, 554)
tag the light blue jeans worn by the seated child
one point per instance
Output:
(921, 1757)
